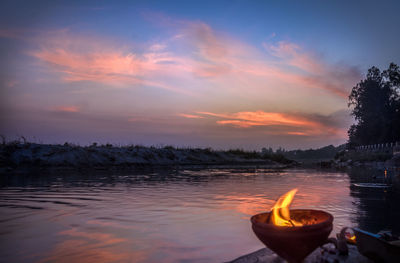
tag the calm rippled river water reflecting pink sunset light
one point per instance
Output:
(177, 215)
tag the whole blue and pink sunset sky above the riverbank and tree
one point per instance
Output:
(221, 74)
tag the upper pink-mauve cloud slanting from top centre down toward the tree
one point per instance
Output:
(218, 55)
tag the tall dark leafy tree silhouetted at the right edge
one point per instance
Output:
(376, 103)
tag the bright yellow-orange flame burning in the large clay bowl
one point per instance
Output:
(280, 214)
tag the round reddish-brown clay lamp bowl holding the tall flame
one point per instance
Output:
(294, 243)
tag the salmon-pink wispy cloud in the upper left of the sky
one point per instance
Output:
(112, 68)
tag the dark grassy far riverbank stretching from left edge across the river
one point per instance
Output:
(26, 154)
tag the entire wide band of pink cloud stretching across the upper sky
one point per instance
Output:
(209, 55)
